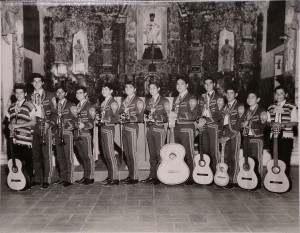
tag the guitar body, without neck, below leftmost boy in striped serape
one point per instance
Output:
(16, 179)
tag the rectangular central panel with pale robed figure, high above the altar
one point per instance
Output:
(151, 33)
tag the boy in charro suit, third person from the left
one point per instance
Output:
(63, 122)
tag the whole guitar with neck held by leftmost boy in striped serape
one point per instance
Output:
(16, 178)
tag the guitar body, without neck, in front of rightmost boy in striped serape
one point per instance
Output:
(276, 180)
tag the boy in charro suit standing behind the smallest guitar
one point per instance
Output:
(230, 125)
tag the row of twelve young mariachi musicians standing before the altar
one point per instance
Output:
(221, 120)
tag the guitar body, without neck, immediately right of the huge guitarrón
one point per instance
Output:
(202, 173)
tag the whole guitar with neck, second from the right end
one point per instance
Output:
(246, 177)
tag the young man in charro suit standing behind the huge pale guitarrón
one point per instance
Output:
(186, 107)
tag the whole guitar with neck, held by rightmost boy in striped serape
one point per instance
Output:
(276, 180)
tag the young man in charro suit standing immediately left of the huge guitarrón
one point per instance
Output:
(156, 112)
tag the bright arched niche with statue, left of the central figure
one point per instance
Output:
(80, 53)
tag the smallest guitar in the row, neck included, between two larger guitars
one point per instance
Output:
(221, 177)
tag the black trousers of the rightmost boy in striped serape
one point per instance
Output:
(285, 148)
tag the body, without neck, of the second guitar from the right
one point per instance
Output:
(246, 177)
